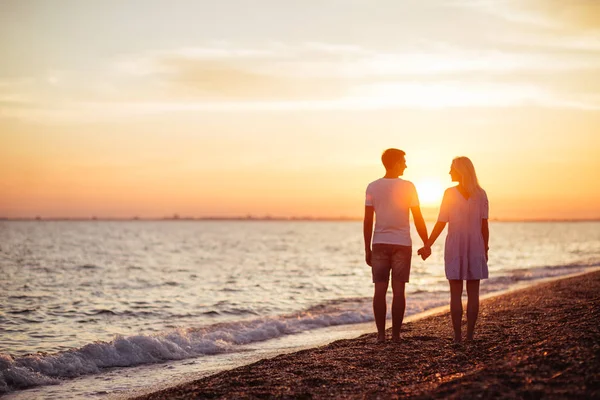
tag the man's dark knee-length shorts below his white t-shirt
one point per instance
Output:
(390, 257)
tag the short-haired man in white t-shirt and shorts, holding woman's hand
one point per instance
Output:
(390, 198)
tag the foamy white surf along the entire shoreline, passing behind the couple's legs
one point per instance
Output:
(183, 343)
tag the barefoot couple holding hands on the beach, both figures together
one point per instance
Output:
(388, 247)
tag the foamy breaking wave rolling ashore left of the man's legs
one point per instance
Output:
(42, 369)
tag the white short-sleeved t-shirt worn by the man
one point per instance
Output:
(392, 199)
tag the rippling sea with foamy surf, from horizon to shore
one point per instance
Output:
(109, 309)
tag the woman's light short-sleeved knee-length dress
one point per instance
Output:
(464, 254)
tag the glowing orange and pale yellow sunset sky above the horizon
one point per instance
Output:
(149, 108)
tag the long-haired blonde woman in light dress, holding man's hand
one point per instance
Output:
(465, 208)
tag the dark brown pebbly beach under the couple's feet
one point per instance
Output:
(538, 342)
